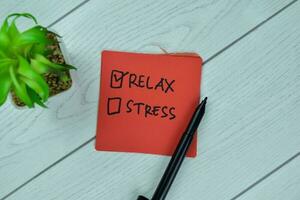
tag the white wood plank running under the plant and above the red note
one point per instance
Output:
(47, 135)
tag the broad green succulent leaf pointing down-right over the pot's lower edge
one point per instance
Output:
(32, 79)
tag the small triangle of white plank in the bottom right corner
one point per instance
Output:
(284, 184)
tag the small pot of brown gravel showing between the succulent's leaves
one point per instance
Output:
(56, 85)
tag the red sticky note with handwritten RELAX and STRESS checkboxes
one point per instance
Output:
(146, 101)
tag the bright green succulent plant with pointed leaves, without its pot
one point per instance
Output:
(23, 61)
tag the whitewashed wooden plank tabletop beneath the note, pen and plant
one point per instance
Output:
(249, 141)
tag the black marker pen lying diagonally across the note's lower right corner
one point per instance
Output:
(178, 155)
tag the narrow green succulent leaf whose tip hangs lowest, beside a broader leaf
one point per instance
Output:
(20, 88)
